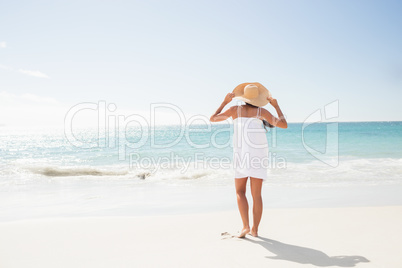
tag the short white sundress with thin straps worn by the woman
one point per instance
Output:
(250, 147)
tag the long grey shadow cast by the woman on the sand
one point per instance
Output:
(306, 255)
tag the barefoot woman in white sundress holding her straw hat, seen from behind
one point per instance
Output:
(250, 146)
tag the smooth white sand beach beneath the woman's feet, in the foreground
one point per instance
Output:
(297, 237)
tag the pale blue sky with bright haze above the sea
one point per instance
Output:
(55, 54)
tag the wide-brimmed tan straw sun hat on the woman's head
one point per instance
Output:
(252, 93)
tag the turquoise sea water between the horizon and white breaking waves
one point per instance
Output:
(27, 151)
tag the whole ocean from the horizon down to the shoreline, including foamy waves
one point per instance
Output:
(57, 172)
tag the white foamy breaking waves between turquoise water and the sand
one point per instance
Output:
(377, 171)
